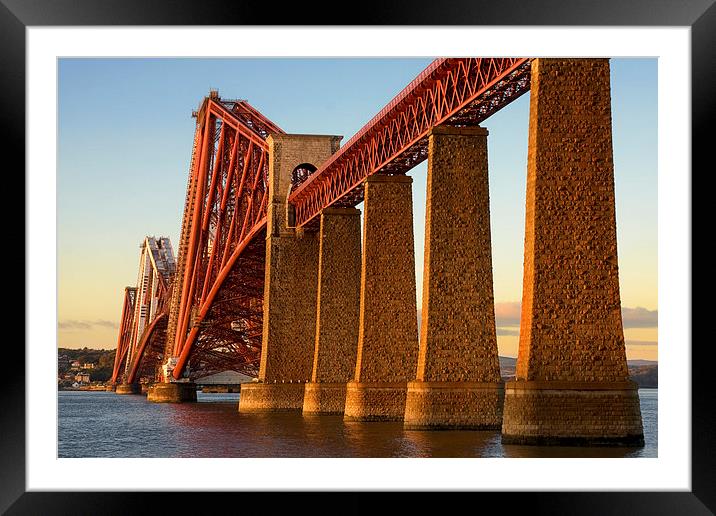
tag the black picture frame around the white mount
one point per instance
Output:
(16, 15)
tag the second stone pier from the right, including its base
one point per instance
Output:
(458, 375)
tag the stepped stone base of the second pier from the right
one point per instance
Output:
(454, 405)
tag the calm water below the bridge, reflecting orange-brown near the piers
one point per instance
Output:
(104, 424)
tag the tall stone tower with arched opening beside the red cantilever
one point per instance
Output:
(291, 282)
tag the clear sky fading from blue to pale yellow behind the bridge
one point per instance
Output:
(124, 142)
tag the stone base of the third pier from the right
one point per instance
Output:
(375, 401)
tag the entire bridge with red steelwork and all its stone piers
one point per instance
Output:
(276, 279)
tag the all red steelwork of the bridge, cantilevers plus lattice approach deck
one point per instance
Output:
(207, 313)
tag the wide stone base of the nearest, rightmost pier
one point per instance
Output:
(572, 413)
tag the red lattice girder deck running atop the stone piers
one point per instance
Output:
(455, 91)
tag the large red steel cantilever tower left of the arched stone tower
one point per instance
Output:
(226, 208)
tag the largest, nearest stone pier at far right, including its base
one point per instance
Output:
(572, 385)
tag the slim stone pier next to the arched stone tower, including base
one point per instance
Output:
(339, 266)
